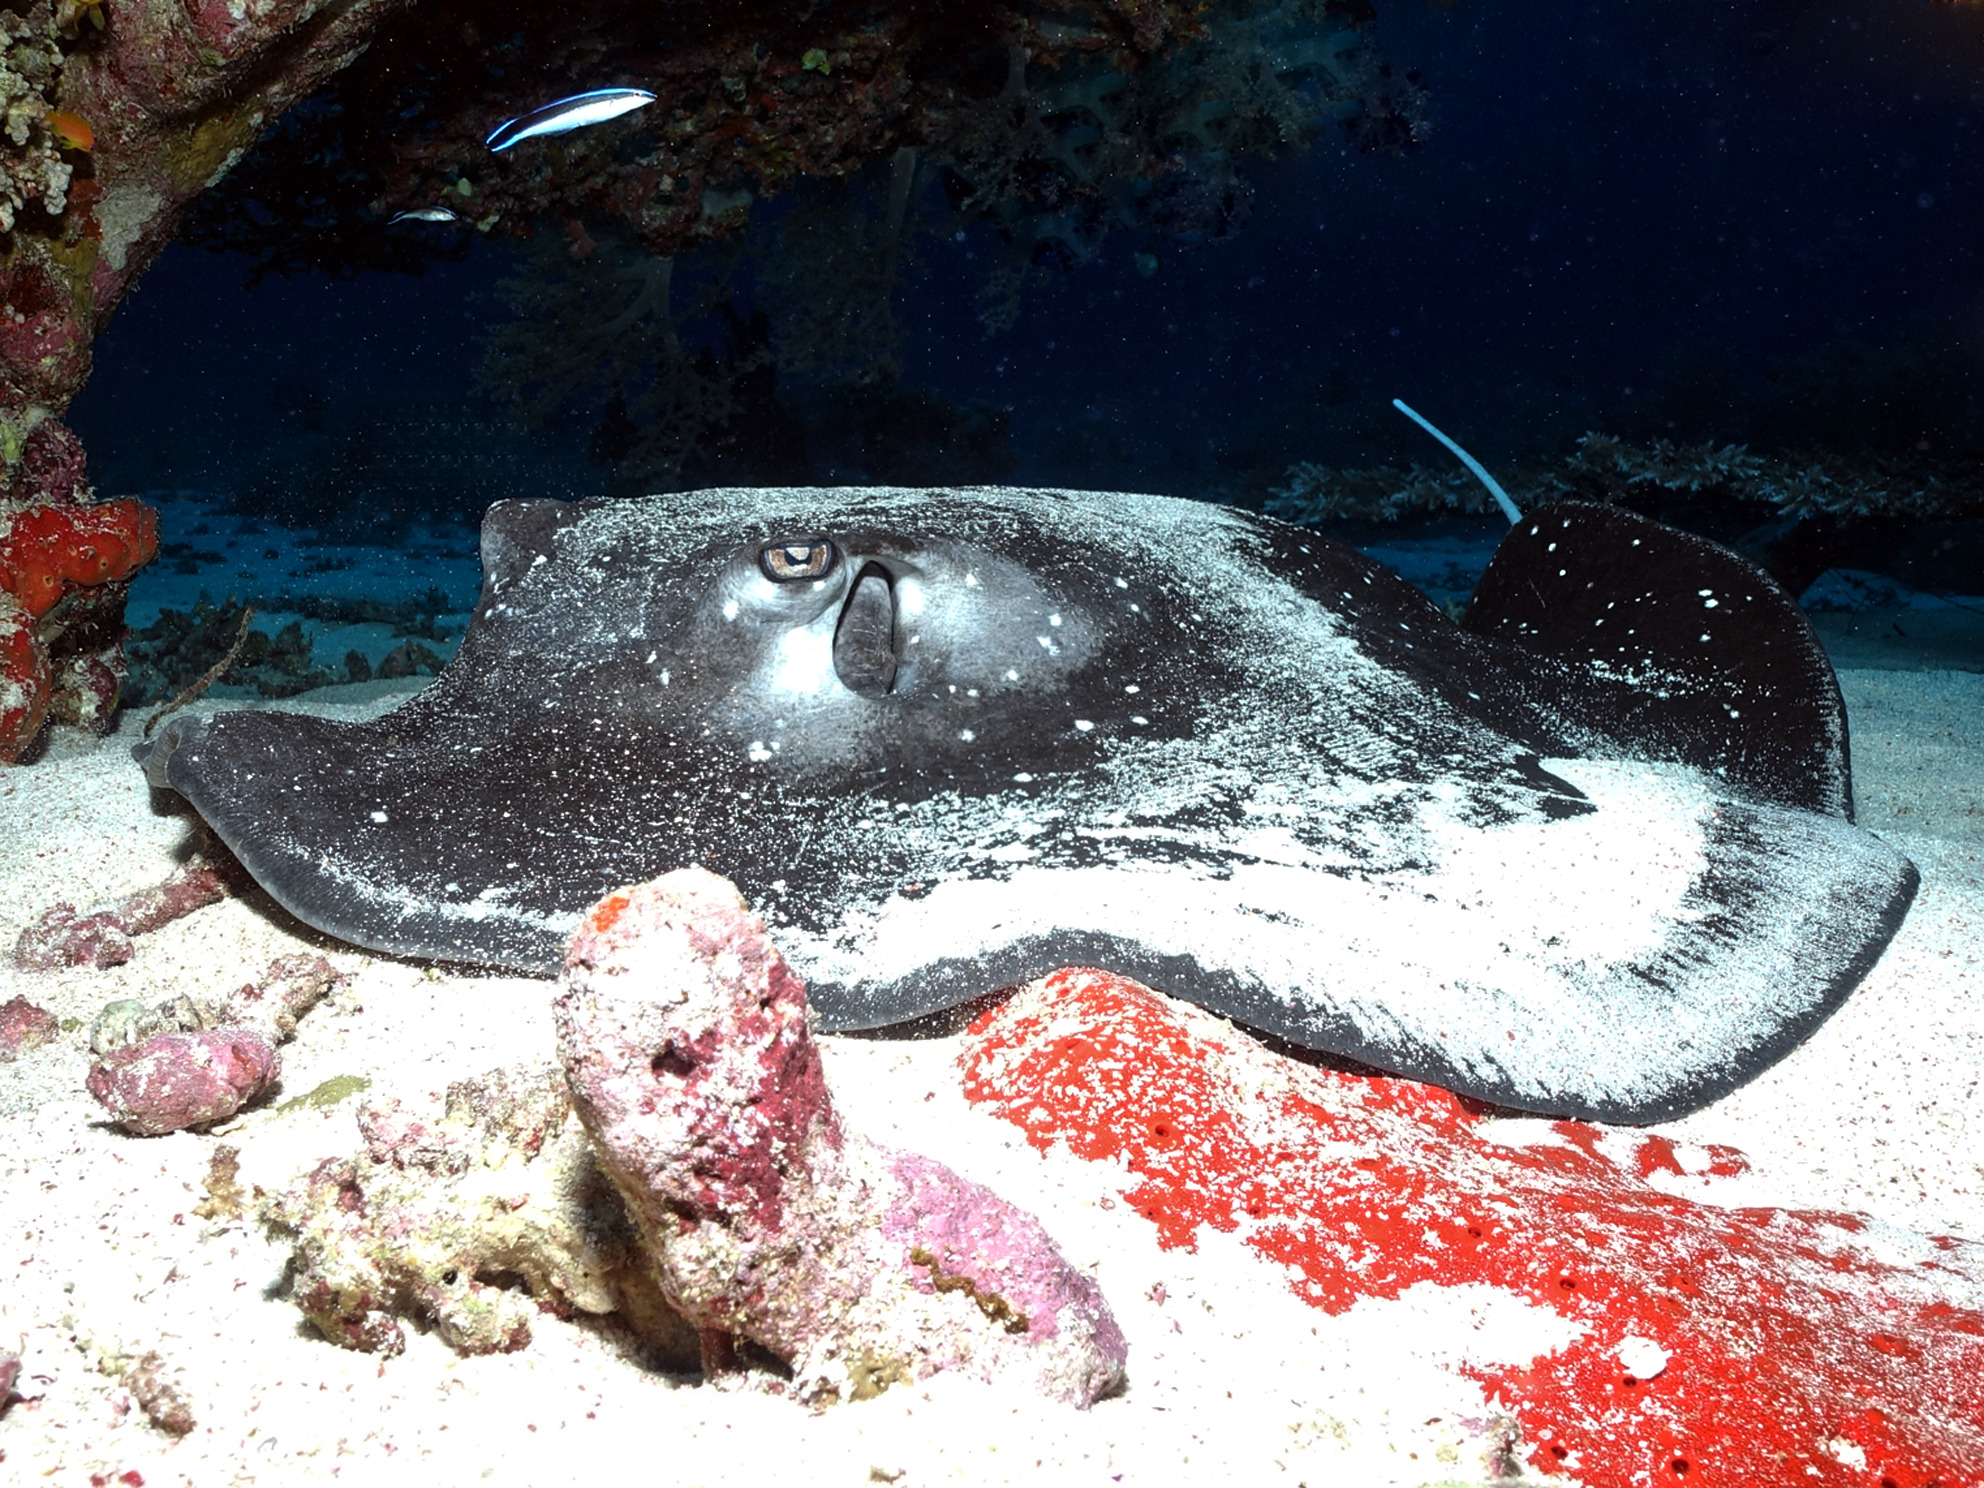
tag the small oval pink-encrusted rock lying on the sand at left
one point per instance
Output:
(184, 1080)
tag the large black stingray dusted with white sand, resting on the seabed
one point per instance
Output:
(1590, 854)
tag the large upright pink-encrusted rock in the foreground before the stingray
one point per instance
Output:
(685, 1045)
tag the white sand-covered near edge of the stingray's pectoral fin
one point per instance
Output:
(1630, 963)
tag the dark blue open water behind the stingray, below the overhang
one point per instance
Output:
(1658, 219)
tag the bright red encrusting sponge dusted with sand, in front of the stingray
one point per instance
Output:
(1775, 1348)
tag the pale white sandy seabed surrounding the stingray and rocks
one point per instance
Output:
(1231, 1376)
